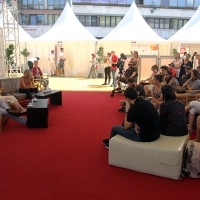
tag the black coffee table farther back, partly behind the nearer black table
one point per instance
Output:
(54, 95)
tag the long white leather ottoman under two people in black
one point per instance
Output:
(162, 157)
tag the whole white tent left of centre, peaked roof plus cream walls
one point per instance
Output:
(76, 40)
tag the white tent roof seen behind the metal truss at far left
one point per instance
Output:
(23, 36)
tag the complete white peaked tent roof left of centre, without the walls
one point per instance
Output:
(67, 29)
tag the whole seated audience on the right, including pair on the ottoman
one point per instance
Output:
(157, 107)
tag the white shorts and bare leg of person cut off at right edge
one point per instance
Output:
(194, 109)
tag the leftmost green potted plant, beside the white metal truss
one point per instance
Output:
(9, 57)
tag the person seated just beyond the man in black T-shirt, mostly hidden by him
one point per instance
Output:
(139, 88)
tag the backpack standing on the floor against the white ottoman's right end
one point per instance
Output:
(191, 160)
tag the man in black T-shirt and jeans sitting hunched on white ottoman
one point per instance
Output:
(141, 121)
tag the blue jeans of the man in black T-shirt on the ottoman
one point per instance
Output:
(127, 133)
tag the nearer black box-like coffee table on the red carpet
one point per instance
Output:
(37, 116)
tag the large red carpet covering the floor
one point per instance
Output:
(68, 161)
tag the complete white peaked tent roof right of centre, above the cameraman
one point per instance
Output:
(133, 28)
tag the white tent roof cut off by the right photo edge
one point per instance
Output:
(189, 33)
